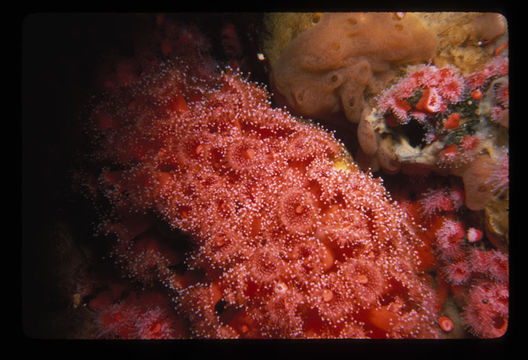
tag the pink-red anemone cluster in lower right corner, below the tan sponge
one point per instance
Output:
(470, 269)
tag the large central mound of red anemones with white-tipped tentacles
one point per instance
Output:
(291, 245)
